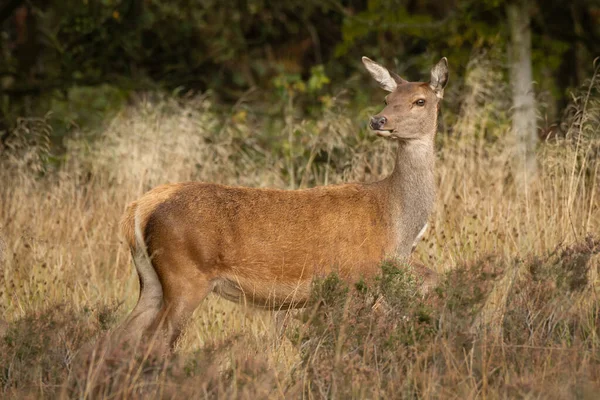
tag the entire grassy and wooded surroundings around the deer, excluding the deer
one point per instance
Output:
(101, 100)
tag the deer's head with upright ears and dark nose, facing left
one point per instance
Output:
(411, 107)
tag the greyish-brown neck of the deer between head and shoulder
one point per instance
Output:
(411, 189)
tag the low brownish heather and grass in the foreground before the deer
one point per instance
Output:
(346, 347)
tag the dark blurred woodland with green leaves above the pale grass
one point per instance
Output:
(83, 59)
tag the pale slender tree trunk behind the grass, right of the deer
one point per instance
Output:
(524, 124)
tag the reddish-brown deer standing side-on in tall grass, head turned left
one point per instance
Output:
(265, 247)
